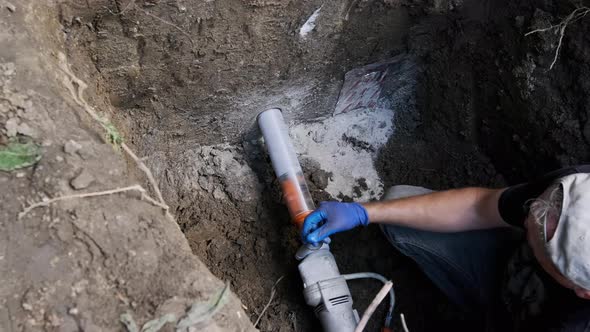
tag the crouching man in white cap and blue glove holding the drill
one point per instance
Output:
(522, 250)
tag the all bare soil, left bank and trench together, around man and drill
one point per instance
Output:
(183, 82)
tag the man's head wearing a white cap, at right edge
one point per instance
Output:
(558, 231)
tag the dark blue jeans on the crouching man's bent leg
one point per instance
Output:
(467, 266)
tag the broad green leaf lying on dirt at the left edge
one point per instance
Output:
(17, 155)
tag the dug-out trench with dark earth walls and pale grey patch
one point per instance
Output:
(460, 84)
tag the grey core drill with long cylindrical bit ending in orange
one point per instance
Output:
(324, 288)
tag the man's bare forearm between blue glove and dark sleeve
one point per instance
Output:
(443, 211)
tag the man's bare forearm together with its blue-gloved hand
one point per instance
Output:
(444, 211)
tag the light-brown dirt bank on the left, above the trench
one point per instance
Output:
(79, 264)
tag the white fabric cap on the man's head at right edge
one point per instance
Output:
(569, 249)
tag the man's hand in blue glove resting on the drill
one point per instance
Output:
(333, 217)
